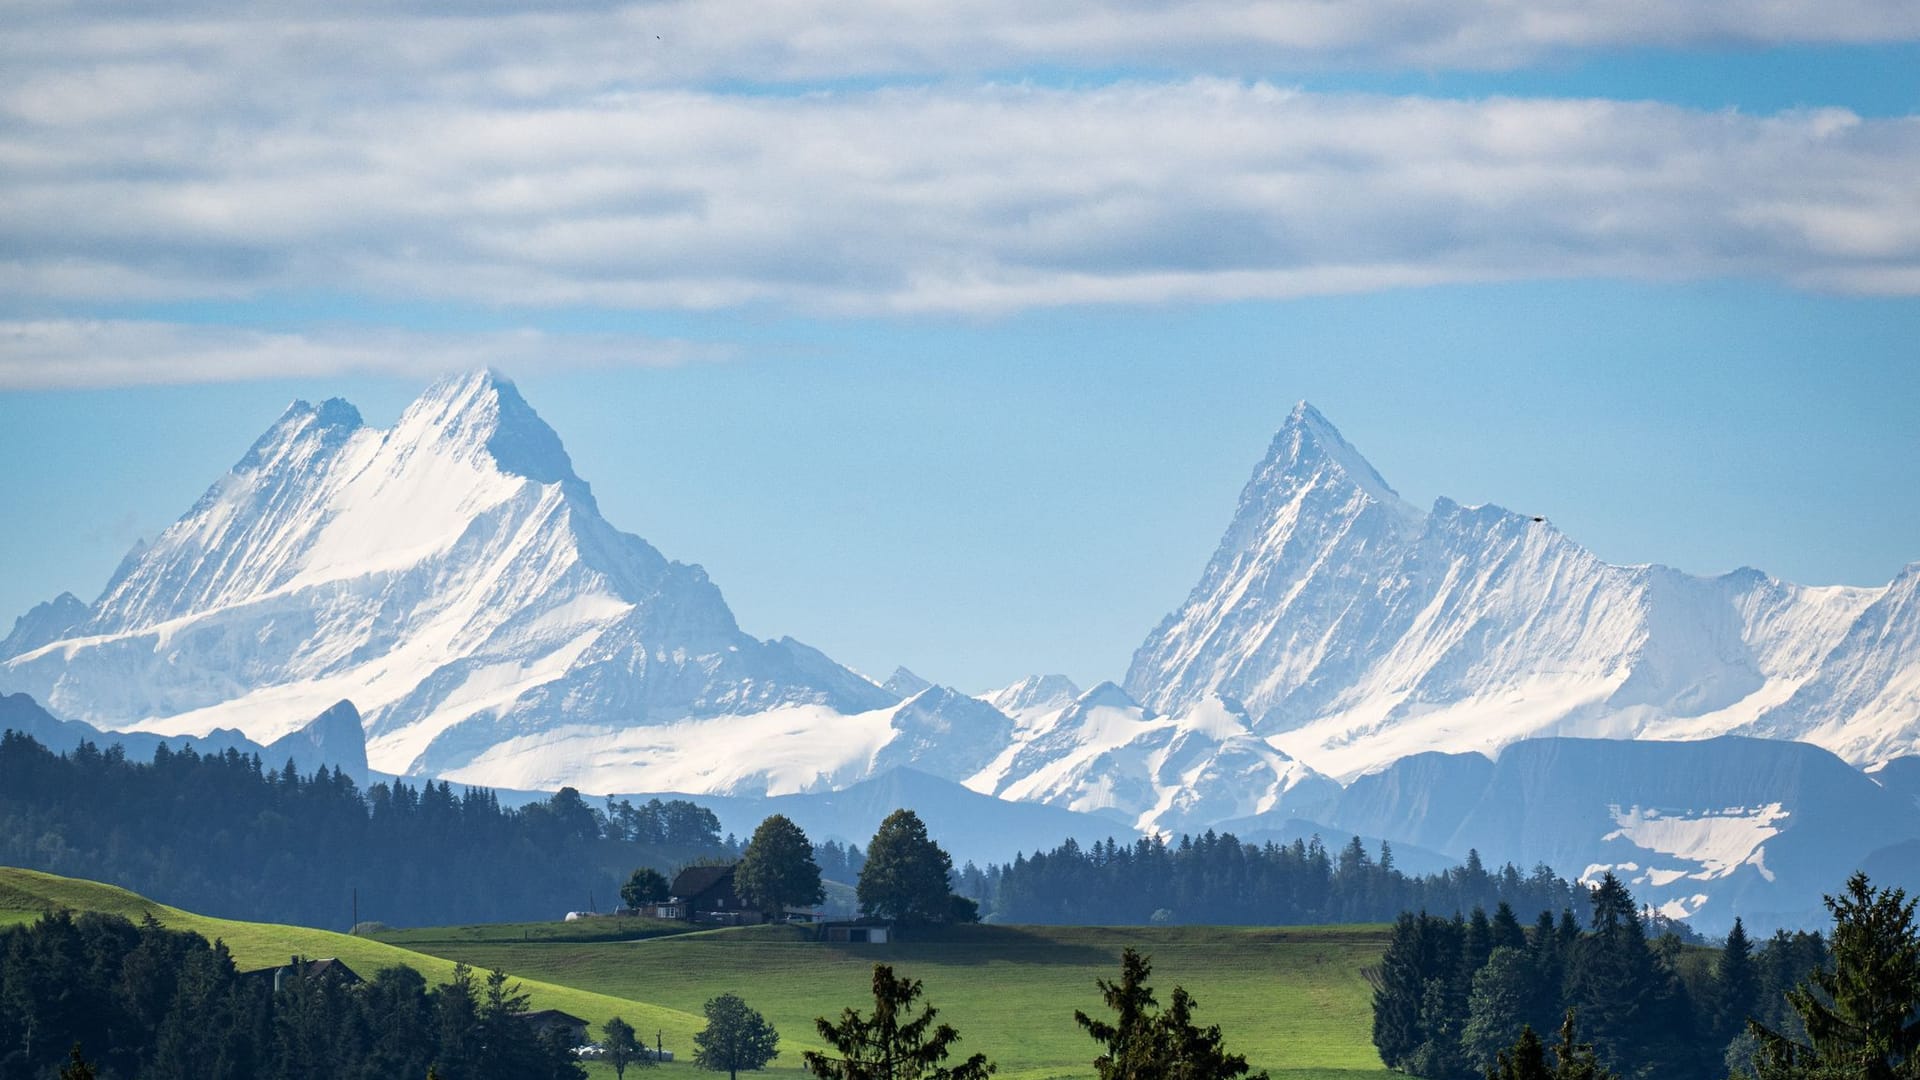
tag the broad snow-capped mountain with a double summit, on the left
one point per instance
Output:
(456, 581)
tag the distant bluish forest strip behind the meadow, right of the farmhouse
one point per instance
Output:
(1216, 879)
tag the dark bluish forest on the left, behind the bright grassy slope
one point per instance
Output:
(224, 835)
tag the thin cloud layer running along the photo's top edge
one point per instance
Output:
(364, 51)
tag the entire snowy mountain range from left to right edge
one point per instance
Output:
(1345, 660)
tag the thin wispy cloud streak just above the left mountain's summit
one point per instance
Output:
(72, 355)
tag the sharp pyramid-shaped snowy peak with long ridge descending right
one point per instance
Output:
(1358, 631)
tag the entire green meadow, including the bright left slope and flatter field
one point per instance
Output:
(1293, 1000)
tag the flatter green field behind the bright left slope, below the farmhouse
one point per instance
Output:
(1293, 1000)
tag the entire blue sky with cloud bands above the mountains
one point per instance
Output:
(946, 335)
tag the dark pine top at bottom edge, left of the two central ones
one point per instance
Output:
(892, 1044)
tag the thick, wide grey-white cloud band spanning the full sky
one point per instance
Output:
(951, 199)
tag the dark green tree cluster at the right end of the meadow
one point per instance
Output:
(1460, 998)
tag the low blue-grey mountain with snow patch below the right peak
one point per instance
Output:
(1702, 831)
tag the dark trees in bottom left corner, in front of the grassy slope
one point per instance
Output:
(139, 1002)
